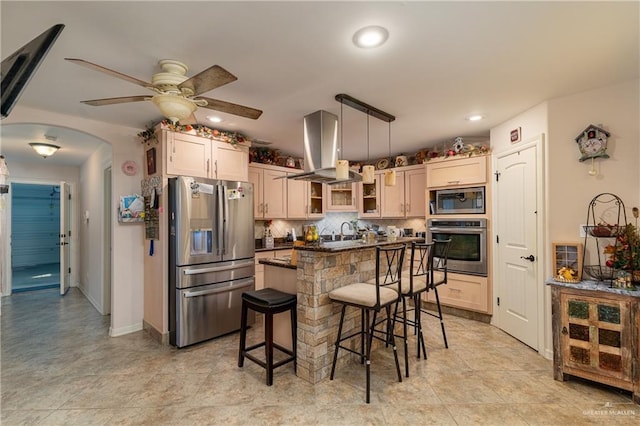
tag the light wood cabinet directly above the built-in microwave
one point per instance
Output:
(453, 172)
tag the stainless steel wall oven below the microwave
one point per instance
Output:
(468, 250)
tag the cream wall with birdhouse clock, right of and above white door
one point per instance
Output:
(568, 186)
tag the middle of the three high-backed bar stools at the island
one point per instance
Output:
(415, 282)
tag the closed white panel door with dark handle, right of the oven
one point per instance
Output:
(517, 252)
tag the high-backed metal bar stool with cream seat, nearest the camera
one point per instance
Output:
(371, 299)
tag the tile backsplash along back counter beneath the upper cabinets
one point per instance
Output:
(331, 224)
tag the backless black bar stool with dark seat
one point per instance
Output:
(268, 301)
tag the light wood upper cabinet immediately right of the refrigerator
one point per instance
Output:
(269, 191)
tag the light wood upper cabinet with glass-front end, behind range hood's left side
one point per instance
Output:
(305, 200)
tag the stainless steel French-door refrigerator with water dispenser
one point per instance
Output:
(211, 256)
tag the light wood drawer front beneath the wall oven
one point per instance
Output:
(464, 291)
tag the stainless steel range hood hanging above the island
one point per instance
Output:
(321, 150)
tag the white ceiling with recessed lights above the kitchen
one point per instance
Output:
(443, 61)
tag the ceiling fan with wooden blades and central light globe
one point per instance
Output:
(177, 96)
